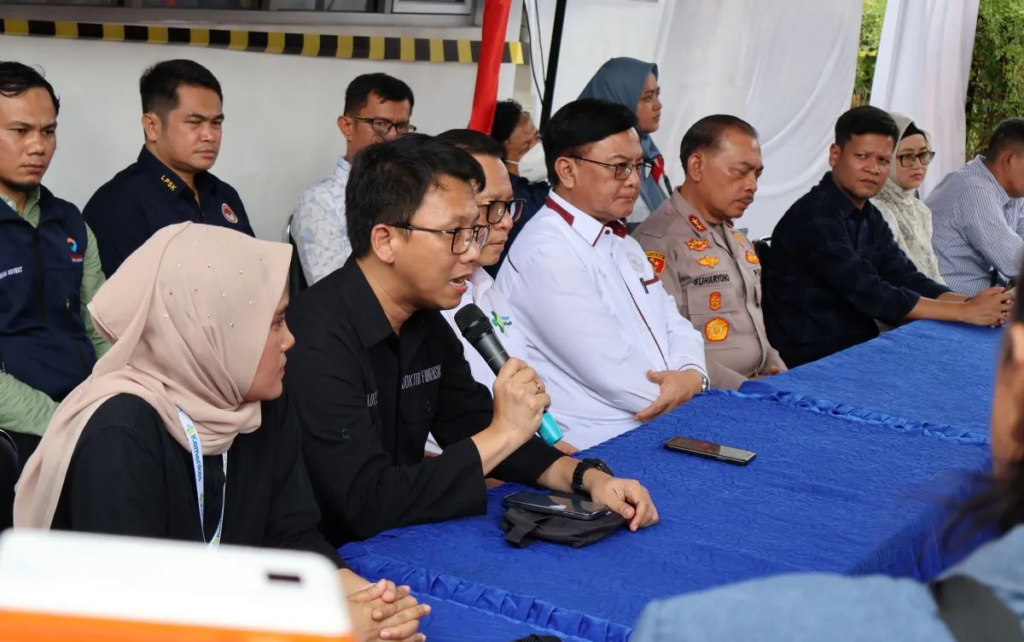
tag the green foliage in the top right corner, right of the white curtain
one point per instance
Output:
(997, 88)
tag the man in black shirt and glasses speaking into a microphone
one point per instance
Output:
(376, 368)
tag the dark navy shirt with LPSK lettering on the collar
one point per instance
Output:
(148, 196)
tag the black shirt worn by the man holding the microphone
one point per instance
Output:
(367, 399)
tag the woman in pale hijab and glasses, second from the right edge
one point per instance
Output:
(909, 218)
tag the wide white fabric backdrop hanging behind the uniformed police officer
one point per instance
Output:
(787, 67)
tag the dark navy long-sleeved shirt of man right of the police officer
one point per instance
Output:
(832, 271)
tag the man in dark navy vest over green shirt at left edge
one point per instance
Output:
(50, 267)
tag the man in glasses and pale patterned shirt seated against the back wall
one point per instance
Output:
(377, 109)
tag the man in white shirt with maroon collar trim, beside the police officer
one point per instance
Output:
(601, 328)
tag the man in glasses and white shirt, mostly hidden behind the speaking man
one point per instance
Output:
(500, 210)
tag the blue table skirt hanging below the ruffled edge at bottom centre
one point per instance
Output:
(451, 622)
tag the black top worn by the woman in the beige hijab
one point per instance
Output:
(130, 477)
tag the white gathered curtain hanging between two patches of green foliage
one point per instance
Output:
(923, 69)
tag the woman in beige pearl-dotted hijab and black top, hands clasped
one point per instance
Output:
(181, 433)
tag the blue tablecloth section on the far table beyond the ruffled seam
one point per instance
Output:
(928, 372)
